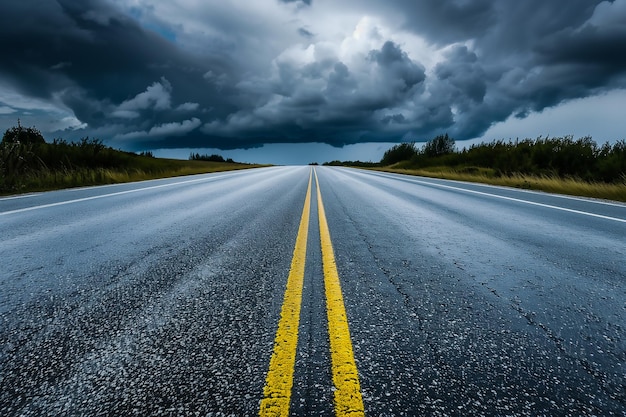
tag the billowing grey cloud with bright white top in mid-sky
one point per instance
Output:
(326, 100)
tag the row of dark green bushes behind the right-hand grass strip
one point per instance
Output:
(563, 157)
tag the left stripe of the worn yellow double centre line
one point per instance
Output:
(279, 380)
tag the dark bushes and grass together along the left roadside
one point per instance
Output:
(28, 163)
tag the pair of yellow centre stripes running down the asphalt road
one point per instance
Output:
(279, 380)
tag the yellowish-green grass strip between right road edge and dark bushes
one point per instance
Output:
(552, 184)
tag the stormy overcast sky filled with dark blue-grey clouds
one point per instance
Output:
(353, 76)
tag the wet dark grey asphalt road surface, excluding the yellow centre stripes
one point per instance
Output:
(164, 297)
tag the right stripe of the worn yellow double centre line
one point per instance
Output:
(348, 400)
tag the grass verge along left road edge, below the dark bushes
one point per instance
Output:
(143, 168)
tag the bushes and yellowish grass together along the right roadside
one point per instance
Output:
(561, 164)
